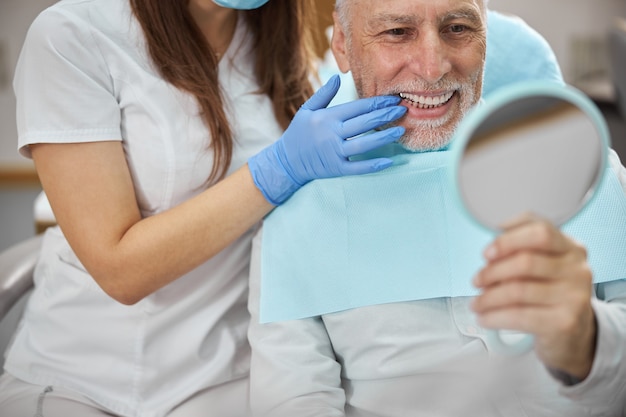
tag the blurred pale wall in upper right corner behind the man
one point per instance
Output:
(563, 21)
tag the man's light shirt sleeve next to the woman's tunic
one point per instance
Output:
(293, 370)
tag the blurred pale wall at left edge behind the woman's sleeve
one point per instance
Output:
(15, 18)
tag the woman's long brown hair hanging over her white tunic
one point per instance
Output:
(284, 45)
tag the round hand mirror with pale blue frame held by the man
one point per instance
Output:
(531, 148)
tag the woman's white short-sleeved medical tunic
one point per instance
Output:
(84, 75)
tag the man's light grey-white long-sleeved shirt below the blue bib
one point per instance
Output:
(424, 358)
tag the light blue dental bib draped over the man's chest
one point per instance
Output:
(400, 235)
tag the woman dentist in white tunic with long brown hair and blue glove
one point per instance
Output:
(162, 133)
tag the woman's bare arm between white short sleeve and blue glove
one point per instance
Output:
(92, 196)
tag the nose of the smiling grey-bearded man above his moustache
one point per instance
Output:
(429, 58)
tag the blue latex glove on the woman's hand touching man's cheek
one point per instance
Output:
(315, 144)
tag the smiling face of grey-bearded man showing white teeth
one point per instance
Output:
(430, 52)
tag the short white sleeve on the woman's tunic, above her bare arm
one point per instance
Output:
(73, 99)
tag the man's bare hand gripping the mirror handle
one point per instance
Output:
(538, 281)
